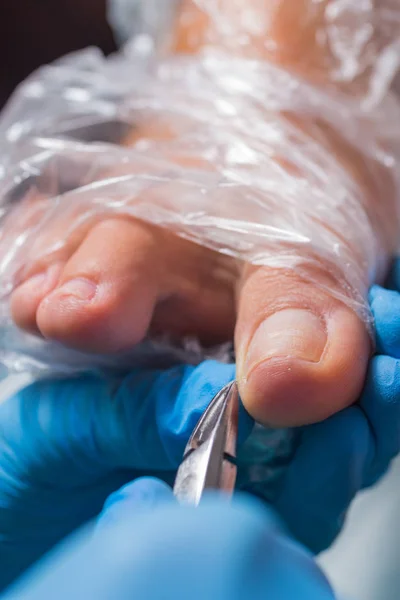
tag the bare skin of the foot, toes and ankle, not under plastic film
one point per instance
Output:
(301, 353)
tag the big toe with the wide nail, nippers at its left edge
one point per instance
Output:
(302, 354)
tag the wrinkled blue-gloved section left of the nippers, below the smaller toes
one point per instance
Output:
(66, 445)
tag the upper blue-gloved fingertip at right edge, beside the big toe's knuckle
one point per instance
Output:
(385, 306)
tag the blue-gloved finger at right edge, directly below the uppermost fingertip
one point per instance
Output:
(380, 402)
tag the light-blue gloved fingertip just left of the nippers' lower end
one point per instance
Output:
(146, 493)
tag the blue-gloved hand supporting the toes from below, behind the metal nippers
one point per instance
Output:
(66, 445)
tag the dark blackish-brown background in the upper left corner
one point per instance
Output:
(36, 32)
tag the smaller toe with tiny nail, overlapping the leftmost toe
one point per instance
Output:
(107, 291)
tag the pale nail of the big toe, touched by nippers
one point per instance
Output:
(289, 333)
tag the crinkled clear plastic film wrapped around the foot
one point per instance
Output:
(250, 147)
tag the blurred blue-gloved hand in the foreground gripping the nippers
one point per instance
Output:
(149, 547)
